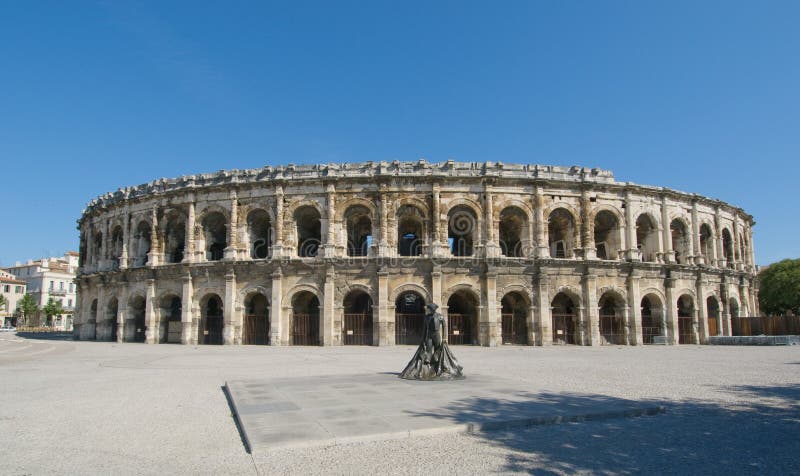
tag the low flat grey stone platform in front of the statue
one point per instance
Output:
(330, 410)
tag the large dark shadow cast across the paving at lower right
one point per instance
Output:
(755, 434)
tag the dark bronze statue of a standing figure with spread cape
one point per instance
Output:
(433, 359)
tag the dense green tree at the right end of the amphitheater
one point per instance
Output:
(779, 289)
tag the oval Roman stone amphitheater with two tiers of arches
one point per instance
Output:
(349, 254)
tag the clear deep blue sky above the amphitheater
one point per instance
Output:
(699, 96)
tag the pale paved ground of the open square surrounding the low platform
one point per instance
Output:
(90, 408)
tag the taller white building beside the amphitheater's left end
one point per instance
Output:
(51, 278)
